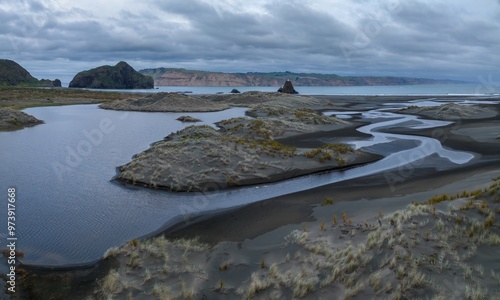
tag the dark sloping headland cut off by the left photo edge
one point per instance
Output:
(13, 74)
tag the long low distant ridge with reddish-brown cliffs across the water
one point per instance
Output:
(183, 77)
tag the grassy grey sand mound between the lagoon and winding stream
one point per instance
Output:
(242, 151)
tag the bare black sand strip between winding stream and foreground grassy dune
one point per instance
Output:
(230, 226)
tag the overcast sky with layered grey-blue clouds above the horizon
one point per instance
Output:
(455, 39)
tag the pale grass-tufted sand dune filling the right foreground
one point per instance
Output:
(444, 248)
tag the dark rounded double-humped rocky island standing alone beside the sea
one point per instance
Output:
(121, 76)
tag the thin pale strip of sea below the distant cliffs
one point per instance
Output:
(436, 89)
